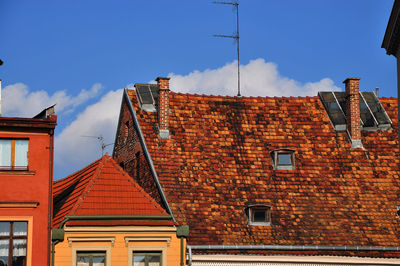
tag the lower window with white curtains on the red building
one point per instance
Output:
(13, 240)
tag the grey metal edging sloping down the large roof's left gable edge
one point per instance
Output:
(147, 154)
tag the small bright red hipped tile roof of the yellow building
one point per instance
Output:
(102, 188)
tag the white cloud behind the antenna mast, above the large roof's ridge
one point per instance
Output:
(258, 78)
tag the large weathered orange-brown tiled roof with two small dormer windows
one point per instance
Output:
(217, 161)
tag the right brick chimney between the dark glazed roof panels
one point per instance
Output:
(353, 119)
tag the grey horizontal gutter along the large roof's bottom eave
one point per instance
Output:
(286, 248)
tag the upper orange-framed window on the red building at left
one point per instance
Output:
(13, 154)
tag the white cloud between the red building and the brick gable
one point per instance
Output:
(72, 150)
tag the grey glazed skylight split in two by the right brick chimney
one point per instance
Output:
(373, 115)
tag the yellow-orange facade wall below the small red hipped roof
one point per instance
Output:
(120, 245)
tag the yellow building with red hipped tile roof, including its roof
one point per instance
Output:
(102, 217)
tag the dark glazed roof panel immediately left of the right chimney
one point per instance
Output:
(334, 110)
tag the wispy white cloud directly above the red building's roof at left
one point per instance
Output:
(18, 101)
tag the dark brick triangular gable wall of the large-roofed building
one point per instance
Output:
(128, 153)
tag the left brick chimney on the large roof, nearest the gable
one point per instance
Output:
(163, 107)
